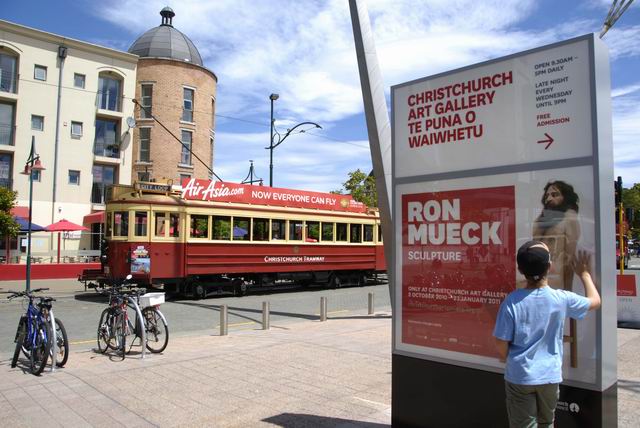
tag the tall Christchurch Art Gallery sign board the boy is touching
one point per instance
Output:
(476, 152)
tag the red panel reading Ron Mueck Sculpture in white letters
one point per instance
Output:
(458, 257)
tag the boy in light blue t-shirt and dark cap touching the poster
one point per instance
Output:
(529, 332)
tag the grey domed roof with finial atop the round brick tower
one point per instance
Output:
(165, 41)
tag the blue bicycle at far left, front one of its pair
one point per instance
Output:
(33, 336)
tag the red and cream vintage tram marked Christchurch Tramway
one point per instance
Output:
(225, 235)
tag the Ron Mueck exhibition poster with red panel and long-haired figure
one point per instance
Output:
(458, 248)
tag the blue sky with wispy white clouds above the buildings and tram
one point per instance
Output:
(304, 51)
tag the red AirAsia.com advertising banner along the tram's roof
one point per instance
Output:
(207, 190)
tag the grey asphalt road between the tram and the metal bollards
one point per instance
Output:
(81, 311)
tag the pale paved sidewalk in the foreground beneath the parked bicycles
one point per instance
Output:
(308, 374)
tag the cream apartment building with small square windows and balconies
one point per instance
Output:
(73, 98)
